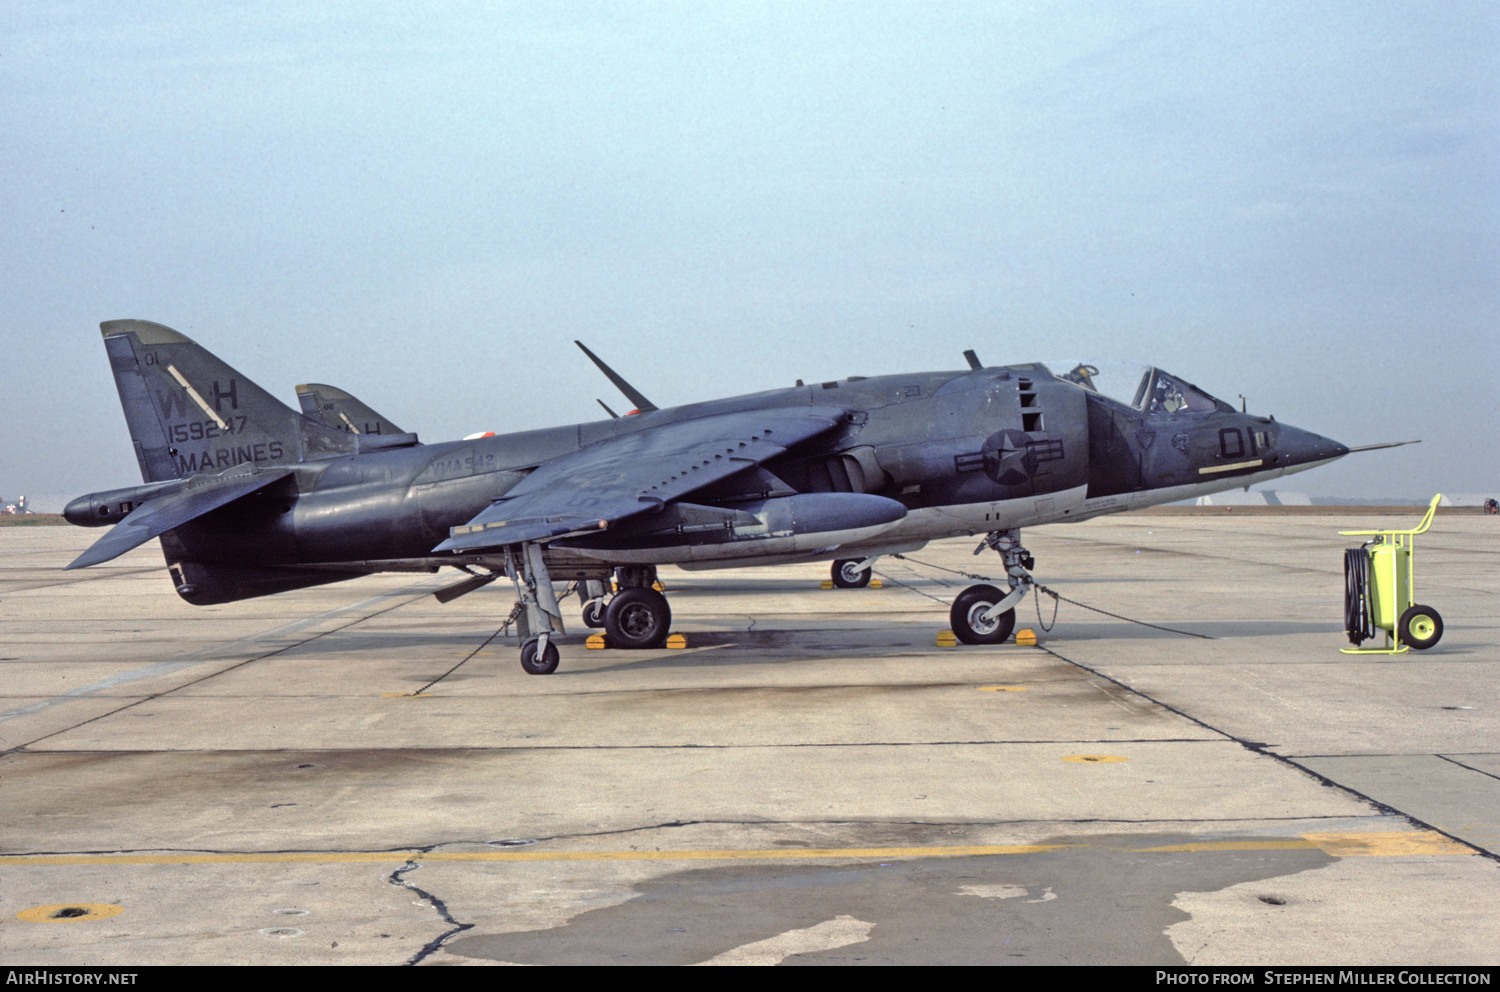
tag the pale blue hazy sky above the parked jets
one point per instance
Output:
(427, 205)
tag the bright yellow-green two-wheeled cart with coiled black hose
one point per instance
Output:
(1378, 592)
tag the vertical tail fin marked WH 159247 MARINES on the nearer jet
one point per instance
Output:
(191, 413)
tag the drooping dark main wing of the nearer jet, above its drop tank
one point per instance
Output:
(635, 473)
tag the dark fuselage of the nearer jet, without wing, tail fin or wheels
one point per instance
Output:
(962, 452)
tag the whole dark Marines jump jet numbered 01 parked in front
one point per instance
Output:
(251, 499)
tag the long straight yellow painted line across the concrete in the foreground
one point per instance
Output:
(1336, 844)
